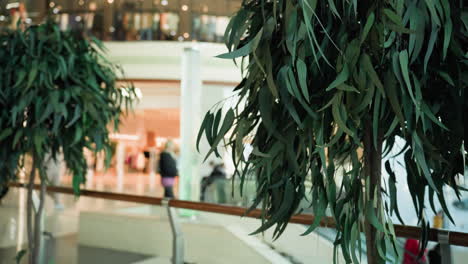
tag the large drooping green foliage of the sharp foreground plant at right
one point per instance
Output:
(332, 85)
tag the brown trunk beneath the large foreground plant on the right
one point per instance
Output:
(373, 171)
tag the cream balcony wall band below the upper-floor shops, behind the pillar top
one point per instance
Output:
(161, 60)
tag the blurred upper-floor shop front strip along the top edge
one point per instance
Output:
(129, 20)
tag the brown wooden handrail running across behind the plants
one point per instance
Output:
(455, 238)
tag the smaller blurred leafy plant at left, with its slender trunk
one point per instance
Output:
(57, 96)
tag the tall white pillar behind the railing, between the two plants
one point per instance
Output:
(191, 84)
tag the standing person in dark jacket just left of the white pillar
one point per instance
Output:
(168, 169)
